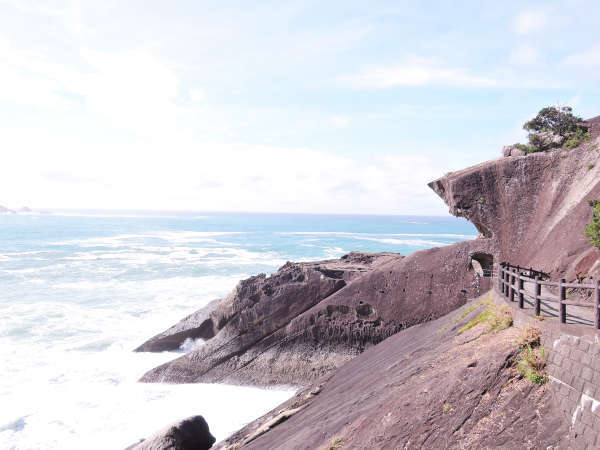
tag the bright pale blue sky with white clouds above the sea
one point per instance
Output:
(276, 106)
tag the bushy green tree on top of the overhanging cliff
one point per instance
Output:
(555, 126)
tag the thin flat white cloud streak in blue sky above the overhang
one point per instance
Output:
(416, 72)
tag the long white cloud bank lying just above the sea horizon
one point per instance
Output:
(105, 172)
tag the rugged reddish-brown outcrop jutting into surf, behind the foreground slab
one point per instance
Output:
(309, 318)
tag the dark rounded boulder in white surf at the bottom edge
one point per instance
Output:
(187, 434)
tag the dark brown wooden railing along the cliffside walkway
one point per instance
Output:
(511, 284)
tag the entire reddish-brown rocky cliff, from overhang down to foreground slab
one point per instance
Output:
(427, 385)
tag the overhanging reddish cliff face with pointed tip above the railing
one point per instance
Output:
(533, 208)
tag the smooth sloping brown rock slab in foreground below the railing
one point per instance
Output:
(425, 387)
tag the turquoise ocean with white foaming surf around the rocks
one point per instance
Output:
(80, 290)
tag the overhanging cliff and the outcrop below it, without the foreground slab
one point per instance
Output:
(309, 318)
